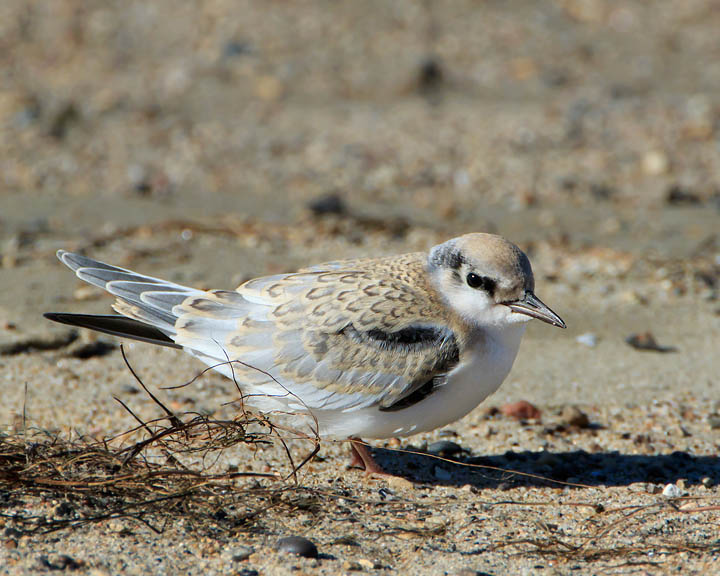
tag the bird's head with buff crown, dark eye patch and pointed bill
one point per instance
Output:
(487, 281)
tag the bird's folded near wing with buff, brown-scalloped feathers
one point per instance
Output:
(329, 337)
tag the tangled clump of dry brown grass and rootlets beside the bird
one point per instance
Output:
(170, 472)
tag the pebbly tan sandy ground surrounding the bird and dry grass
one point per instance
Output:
(188, 141)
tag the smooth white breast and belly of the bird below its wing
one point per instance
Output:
(483, 367)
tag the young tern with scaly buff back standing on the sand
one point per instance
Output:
(368, 348)
